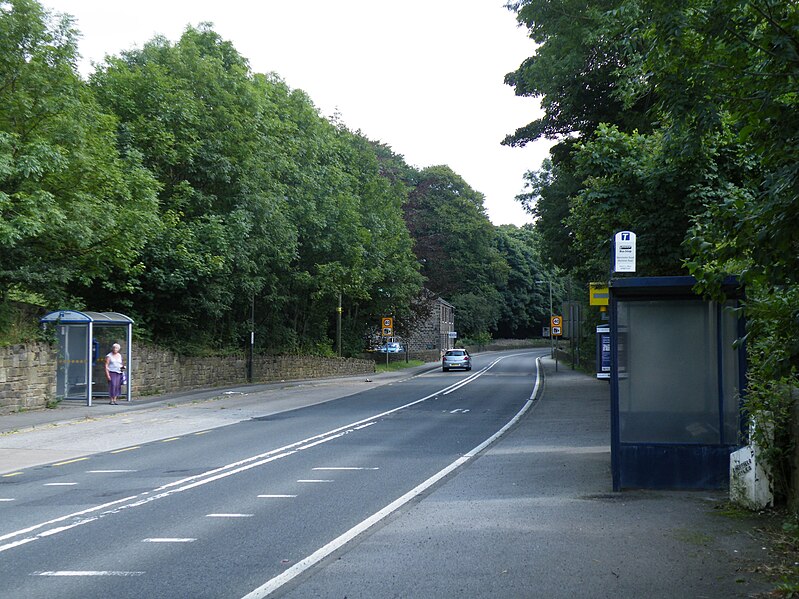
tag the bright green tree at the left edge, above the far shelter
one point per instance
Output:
(63, 184)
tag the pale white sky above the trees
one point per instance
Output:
(422, 76)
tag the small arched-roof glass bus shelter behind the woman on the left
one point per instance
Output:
(84, 339)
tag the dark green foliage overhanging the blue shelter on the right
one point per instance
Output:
(682, 121)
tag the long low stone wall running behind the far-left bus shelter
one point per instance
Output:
(28, 372)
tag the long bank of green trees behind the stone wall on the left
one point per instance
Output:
(207, 201)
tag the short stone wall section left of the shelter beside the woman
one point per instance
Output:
(27, 377)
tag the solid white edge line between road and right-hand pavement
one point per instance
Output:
(300, 567)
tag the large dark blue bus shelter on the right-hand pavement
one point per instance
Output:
(677, 378)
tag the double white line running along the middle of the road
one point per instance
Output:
(204, 478)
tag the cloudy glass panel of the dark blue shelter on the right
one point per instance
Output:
(670, 372)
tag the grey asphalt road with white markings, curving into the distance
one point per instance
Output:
(246, 509)
